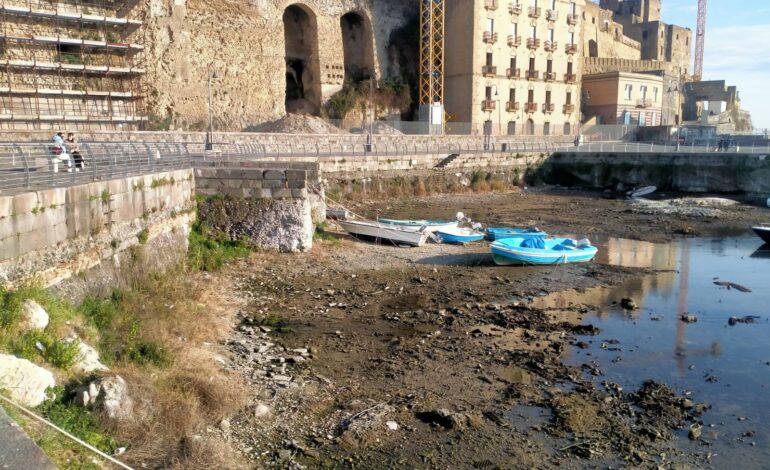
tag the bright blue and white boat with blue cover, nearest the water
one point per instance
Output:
(541, 251)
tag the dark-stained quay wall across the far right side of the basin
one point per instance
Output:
(712, 173)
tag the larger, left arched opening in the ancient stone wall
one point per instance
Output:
(303, 70)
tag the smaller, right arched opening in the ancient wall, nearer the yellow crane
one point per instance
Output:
(358, 46)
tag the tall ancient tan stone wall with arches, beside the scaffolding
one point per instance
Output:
(244, 44)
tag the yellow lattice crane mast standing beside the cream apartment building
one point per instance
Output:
(432, 62)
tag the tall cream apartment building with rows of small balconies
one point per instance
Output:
(514, 67)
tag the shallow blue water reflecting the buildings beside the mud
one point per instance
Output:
(725, 366)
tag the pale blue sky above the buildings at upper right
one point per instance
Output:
(737, 42)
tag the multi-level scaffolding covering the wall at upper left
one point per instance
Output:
(71, 64)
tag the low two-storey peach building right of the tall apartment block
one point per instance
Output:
(631, 99)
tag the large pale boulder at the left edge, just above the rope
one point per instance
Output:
(26, 382)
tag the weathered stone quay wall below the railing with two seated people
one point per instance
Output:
(59, 234)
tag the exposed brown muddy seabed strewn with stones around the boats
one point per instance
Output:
(373, 356)
